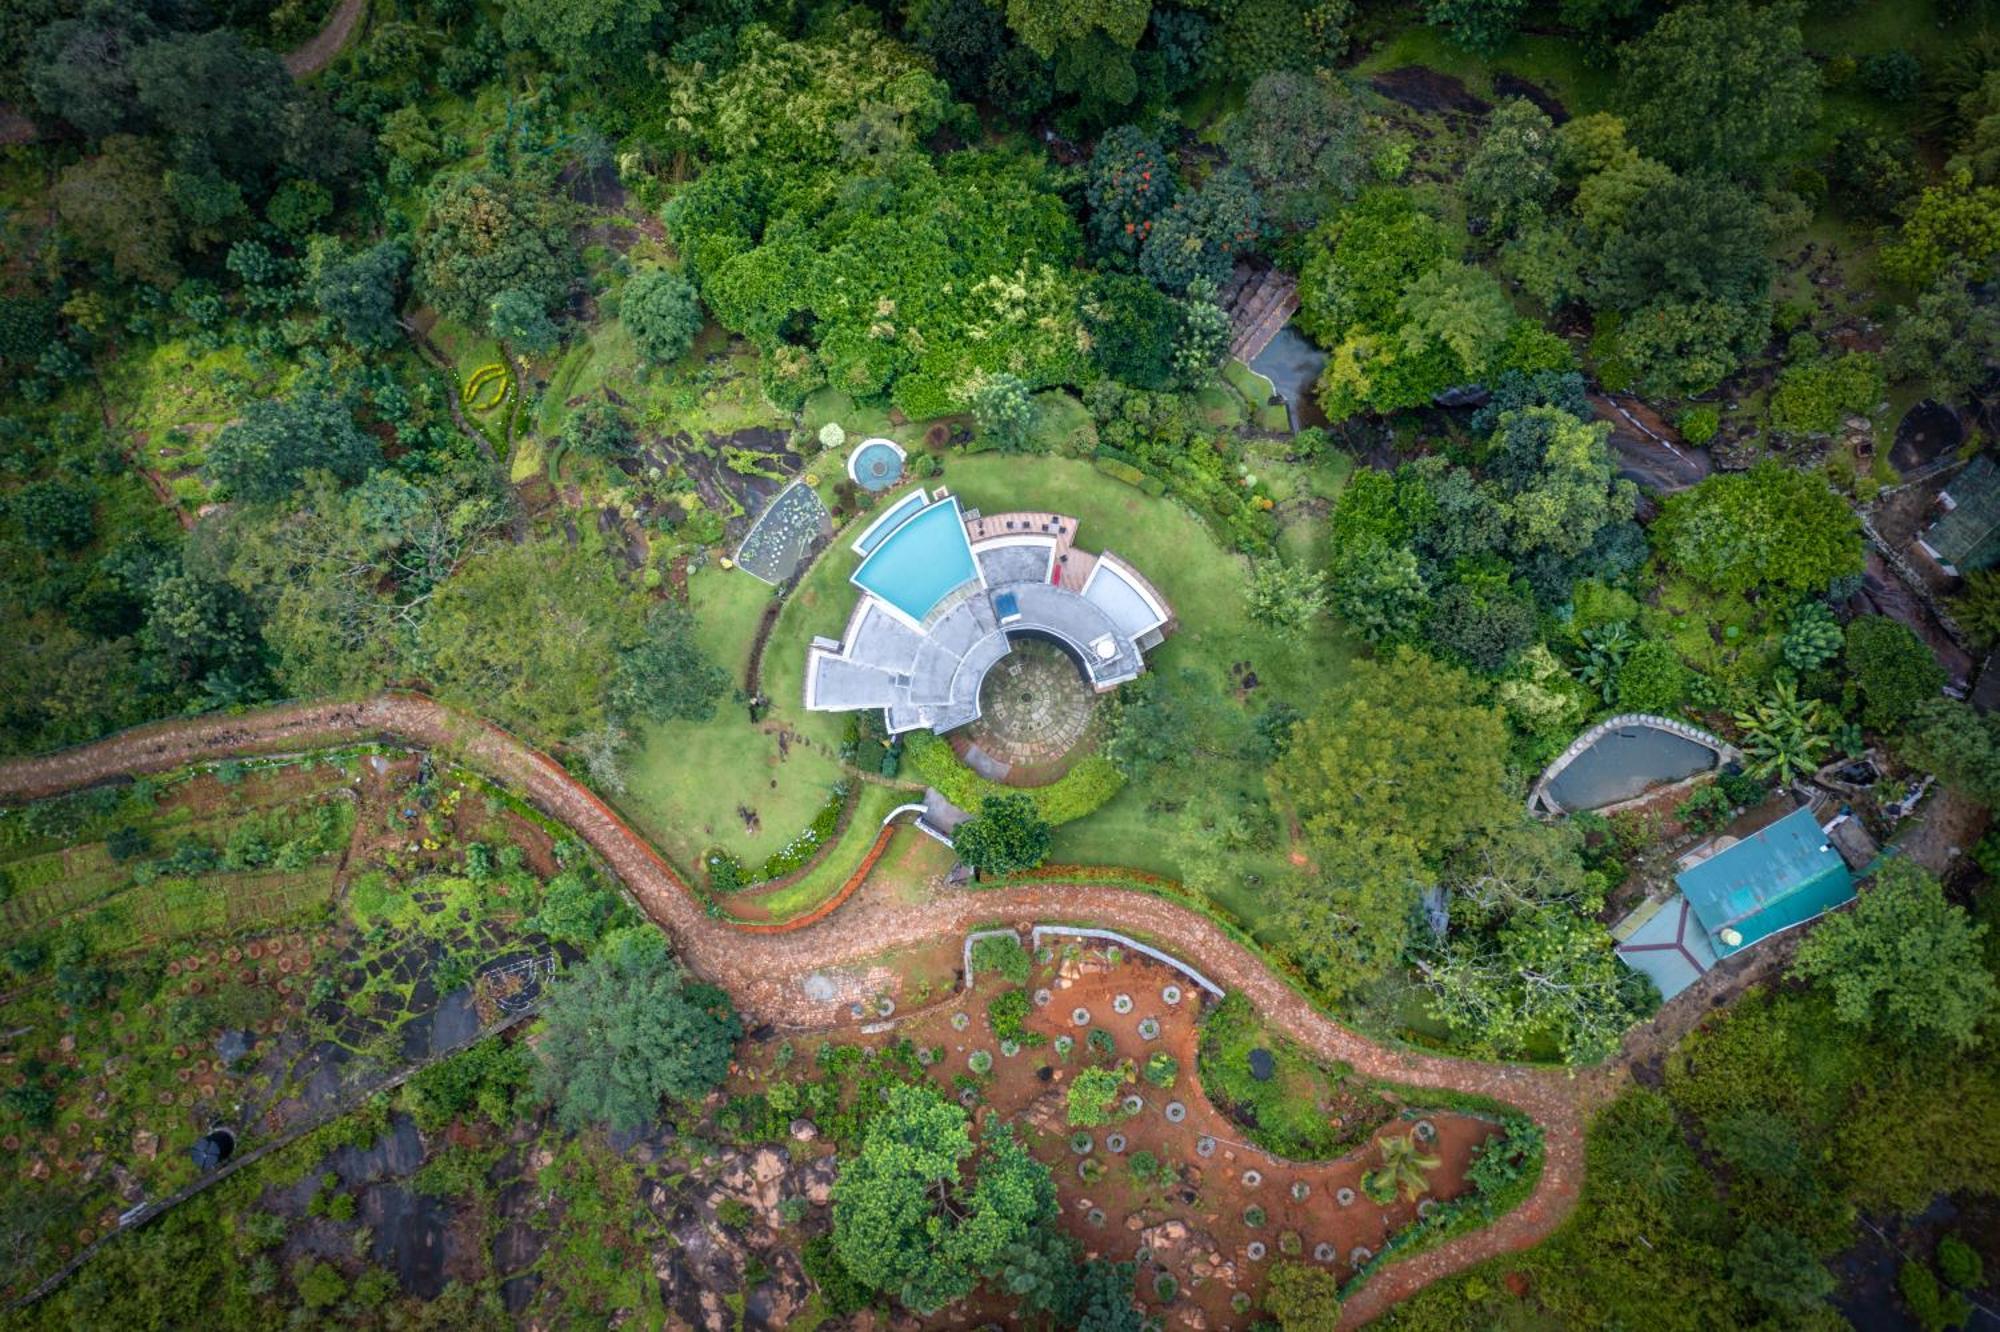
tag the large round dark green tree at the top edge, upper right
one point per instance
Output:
(1721, 85)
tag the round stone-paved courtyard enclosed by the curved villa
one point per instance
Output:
(1035, 715)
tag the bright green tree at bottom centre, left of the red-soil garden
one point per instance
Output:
(903, 1219)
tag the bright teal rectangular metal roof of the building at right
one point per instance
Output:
(1775, 879)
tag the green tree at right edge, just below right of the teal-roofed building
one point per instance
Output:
(1905, 963)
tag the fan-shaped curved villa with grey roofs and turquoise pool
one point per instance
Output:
(943, 597)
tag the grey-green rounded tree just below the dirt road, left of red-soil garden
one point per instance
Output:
(627, 1031)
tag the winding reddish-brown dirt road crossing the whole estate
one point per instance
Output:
(765, 971)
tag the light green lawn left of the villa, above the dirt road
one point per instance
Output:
(689, 781)
